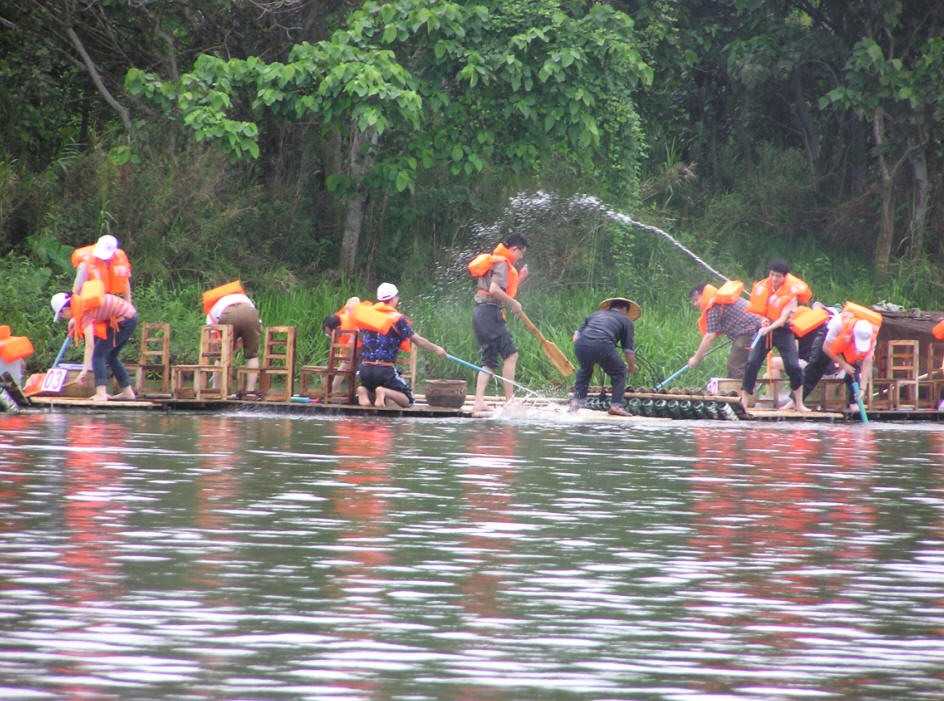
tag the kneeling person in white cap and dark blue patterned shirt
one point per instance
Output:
(379, 379)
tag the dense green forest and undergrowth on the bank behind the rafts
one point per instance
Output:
(328, 145)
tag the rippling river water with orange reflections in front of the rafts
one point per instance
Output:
(243, 556)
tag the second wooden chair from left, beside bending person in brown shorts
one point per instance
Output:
(211, 377)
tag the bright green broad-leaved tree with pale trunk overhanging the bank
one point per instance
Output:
(413, 86)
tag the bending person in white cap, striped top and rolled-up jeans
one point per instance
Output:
(116, 320)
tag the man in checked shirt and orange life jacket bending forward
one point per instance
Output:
(729, 318)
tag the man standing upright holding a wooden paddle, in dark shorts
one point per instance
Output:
(495, 290)
